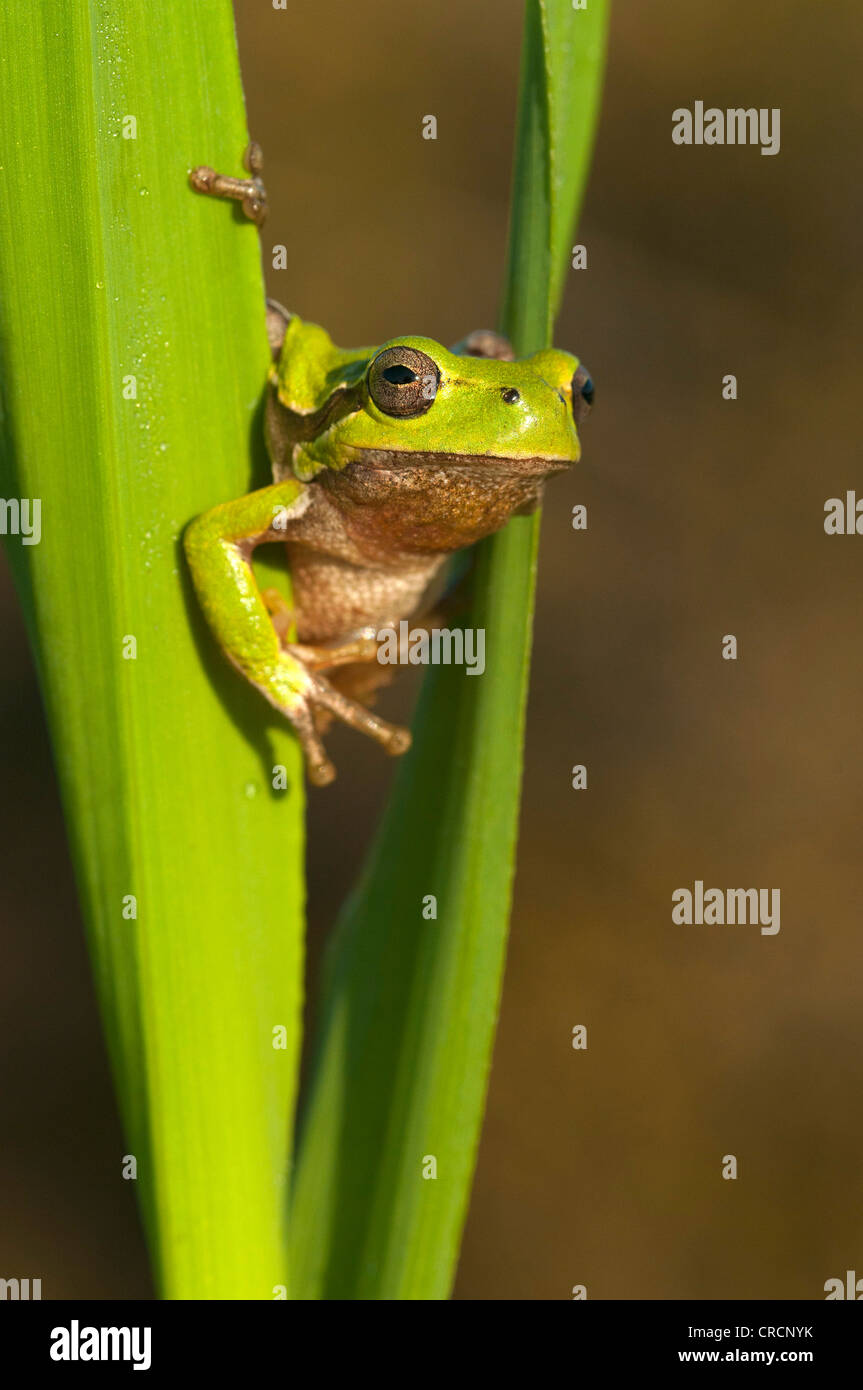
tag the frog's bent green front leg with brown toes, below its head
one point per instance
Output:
(219, 548)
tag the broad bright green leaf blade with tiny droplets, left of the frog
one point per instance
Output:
(110, 268)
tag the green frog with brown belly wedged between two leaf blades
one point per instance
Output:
(387, 462)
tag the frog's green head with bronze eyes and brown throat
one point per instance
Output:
(457, 443)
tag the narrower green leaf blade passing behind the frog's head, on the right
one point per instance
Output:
(404, 1050)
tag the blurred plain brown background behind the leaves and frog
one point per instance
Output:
(705, 518)
